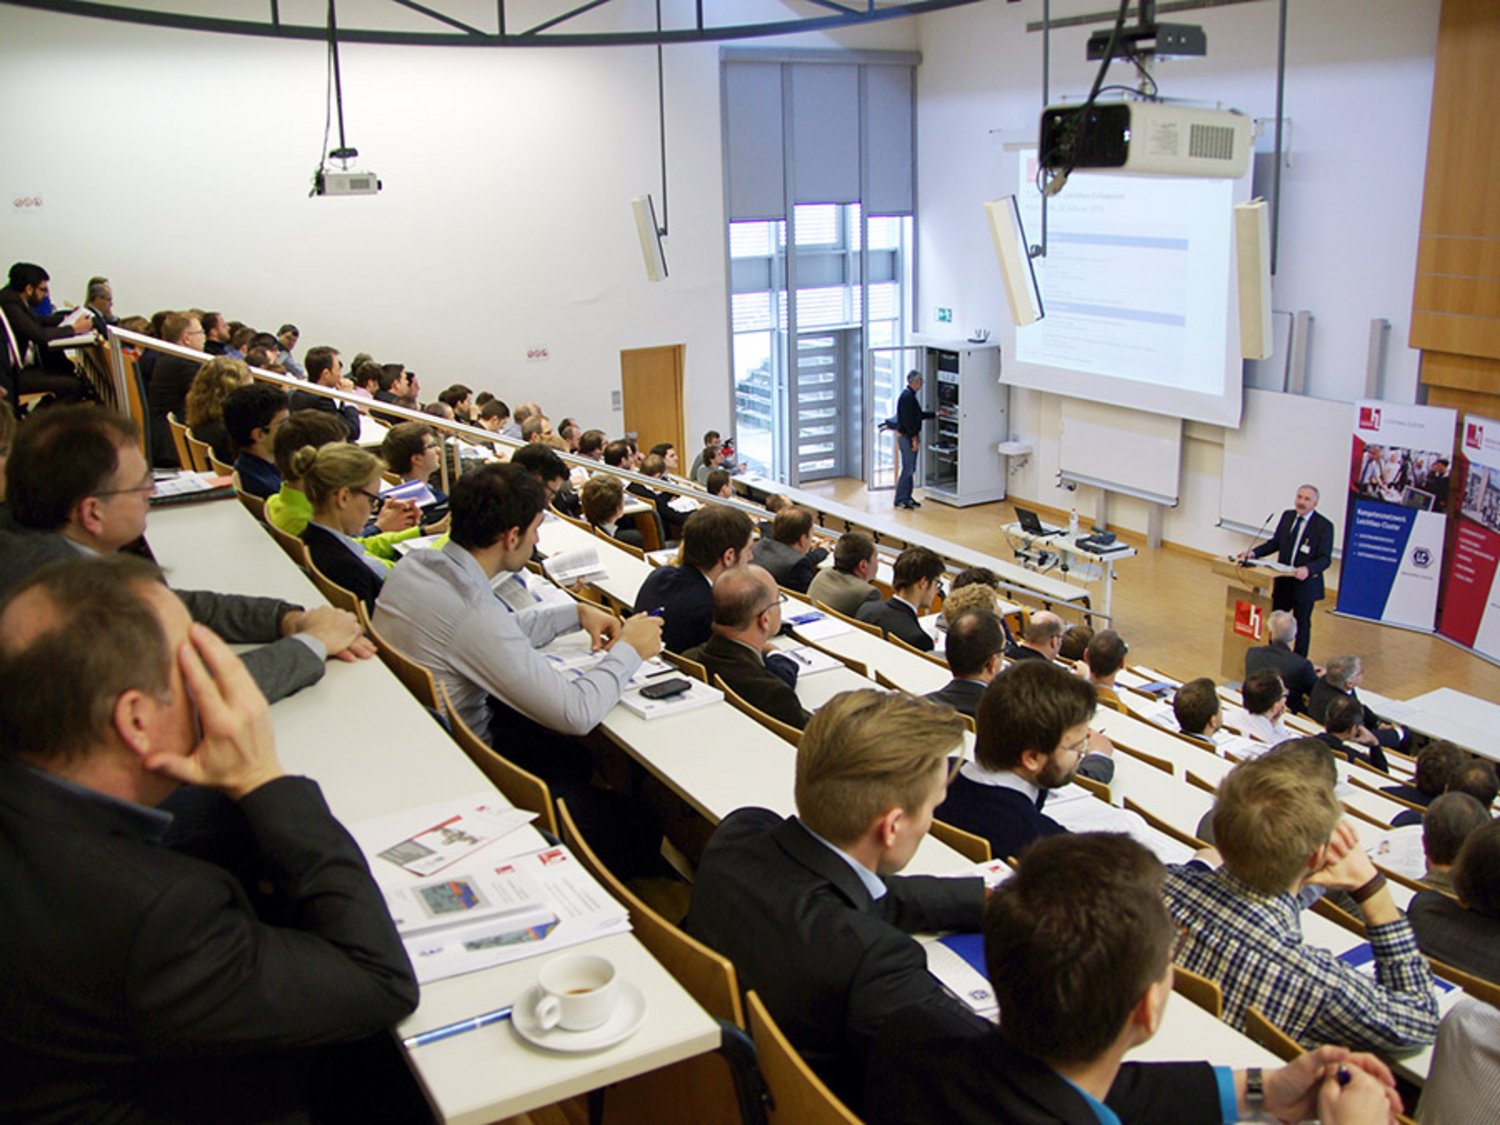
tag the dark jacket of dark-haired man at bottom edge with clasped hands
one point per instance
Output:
(920, 1076)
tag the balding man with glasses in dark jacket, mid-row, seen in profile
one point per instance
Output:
(748, 614)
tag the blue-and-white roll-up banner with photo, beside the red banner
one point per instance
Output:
(1397, 514)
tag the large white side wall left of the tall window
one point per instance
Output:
(179, 163)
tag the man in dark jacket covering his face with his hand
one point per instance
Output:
(140, 983)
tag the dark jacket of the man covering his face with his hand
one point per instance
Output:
(140, 985)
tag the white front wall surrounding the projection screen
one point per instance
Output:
(1358, 94)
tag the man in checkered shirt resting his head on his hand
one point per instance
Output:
(1280, 829)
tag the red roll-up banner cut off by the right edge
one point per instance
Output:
(1471, 599)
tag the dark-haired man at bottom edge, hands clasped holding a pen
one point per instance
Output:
(1058, 1055)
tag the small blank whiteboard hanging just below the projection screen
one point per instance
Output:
(1121, 451)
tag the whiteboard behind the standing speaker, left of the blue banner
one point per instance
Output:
(1285, 442)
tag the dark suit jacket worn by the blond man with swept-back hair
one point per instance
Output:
(832, 964)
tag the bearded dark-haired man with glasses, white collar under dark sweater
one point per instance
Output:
(1031, 737)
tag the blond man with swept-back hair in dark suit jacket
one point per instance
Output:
(809, 910)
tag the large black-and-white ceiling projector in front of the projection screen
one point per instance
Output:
(1153, 139)
